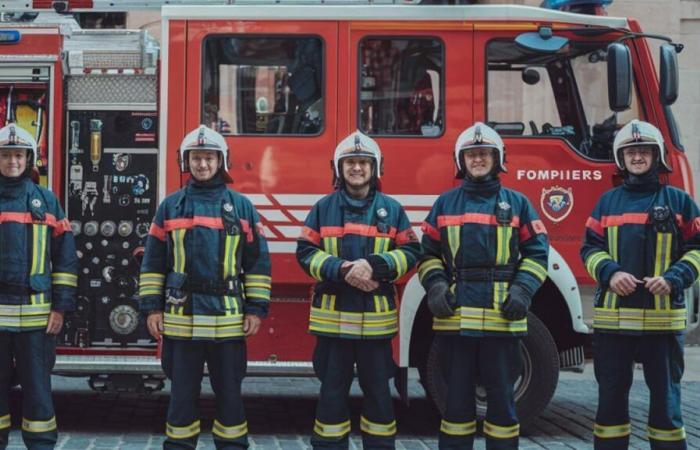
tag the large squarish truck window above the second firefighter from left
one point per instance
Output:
(263, 85)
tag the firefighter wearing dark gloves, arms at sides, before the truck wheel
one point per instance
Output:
(485, 256)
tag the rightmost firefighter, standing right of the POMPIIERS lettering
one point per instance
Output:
(642, 246)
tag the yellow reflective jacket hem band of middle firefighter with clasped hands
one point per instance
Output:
(341, 323)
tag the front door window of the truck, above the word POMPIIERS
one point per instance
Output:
(562, 95)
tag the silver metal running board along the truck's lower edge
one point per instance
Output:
(76, 365)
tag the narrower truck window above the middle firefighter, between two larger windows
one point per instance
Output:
(401, 86)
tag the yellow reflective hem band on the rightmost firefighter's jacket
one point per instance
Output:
(639, 319)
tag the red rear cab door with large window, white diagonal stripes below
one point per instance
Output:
(270, 87)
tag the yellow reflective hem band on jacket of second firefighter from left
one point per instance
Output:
(202, 326)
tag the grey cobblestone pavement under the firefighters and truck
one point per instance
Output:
(281, 411)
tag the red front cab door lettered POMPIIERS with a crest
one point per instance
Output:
(552, 110)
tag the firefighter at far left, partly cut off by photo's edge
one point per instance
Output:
(38, 279)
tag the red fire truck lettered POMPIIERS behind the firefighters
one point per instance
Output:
(284, 84)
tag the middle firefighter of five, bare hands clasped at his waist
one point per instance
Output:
(356, 243)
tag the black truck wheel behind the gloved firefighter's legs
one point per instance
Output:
(534, 386)
